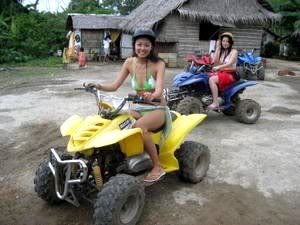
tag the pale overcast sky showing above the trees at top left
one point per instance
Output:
(49, 5)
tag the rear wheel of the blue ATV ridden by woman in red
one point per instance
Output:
(248, 111)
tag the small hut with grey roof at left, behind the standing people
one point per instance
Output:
(90, 30)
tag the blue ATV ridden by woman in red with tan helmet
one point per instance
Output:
(191, 94)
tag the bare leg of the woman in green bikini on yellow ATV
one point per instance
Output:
(151, 121)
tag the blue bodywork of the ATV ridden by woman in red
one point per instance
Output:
(201, 83)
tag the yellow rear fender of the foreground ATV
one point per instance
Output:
(181, 127)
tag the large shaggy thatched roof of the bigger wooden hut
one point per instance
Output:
(216, 11)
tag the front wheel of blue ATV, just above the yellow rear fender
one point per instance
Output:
(189, 105)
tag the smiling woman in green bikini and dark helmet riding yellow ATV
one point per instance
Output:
(146, 71)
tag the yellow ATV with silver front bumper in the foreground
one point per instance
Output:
(105, 155)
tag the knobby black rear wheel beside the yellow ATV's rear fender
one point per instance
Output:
(194, 159)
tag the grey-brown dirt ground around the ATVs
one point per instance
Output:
(253, 176)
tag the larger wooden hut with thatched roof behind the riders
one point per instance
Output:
(188, 26)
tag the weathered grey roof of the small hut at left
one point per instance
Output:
(94, 21)
